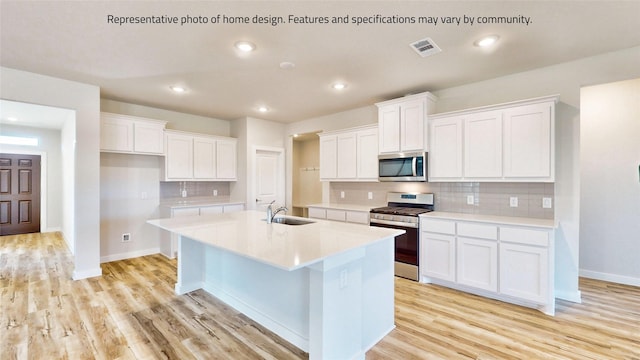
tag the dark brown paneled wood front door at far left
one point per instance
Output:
(19, 194)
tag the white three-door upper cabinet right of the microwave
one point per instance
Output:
(507, 142)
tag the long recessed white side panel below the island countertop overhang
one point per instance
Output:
(277, 299)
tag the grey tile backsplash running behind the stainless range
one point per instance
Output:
(488, 198)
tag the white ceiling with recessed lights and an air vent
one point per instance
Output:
(138, 63)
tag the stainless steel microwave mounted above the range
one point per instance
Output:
(402, 167)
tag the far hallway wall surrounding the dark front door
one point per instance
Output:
(51, 178)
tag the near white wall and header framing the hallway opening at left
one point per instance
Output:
(85, 100)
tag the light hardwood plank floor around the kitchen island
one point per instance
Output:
(131, 312)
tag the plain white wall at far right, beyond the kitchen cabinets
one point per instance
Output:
(610, 182)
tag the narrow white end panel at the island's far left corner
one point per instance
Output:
(190, 265)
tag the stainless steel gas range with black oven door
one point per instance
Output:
(402, 212)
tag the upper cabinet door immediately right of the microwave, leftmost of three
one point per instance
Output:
(445, 149)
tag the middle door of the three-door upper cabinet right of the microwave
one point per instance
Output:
(483, 145)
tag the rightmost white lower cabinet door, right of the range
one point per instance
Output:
(524, 272)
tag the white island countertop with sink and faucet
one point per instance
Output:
(288, 247)
